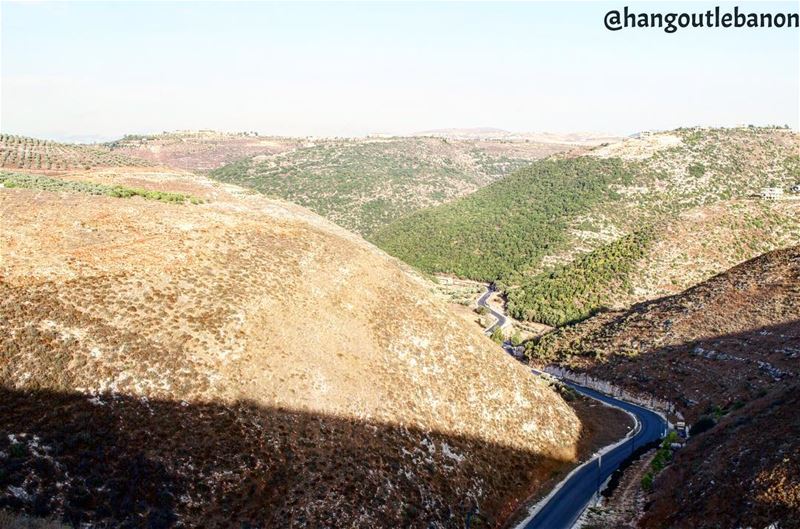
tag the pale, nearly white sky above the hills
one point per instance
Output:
(98, 70)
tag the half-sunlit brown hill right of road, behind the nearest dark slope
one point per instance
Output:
(722, 341)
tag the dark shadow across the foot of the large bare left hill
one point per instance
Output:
(127, 462)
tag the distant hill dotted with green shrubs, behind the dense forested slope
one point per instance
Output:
(364, 184)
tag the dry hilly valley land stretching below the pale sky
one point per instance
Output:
(144, 288)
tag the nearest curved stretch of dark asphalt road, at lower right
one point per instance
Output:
(567, 504)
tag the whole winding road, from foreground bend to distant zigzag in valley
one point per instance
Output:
(567, 501)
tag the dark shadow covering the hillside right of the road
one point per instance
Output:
(744, 471)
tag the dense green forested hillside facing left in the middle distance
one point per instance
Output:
(506, 226)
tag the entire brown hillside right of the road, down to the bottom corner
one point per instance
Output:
(727, 353)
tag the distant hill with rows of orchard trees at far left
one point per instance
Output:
(20, 152)
